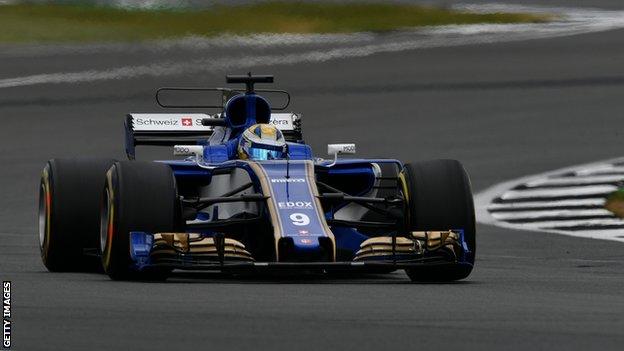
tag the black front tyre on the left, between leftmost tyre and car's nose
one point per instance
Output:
(138, 196)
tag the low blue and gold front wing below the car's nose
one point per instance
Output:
(194, 251)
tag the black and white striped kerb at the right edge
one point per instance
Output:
(568, 201)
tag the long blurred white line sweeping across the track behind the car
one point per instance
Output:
(575, 21)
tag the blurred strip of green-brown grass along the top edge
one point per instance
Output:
(84, 23)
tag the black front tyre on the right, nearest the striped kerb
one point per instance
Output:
(439, 197)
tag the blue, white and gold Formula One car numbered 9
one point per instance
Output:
(248, 196)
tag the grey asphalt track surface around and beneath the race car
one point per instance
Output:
(506, 110)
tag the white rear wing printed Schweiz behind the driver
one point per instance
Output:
(169, 129)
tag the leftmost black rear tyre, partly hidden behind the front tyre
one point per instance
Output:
(69, 207)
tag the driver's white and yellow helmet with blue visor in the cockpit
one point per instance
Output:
(262, 142)
